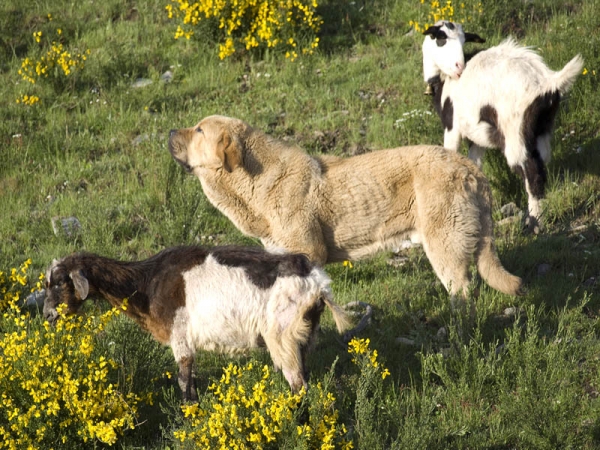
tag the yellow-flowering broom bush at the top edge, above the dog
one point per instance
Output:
(253, 24)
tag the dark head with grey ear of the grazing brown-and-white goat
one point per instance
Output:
(64, 286)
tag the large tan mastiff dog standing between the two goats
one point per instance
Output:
(334, 209)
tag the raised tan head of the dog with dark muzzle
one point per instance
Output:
(214, 144)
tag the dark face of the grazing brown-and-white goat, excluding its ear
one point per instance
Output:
(60, 288)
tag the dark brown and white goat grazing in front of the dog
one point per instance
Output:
(223, 299)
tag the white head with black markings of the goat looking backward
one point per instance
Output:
(443, 50)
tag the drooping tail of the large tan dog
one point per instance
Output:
(488, 264)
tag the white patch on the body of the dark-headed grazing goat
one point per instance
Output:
(226, 312)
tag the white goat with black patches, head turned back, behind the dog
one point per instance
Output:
(505, 97)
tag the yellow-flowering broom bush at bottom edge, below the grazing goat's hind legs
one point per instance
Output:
(246, 410)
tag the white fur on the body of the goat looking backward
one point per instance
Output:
(509, 78)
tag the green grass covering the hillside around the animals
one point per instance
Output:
(96, 148)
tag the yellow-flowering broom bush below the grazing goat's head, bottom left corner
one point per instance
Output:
(54, 386)
